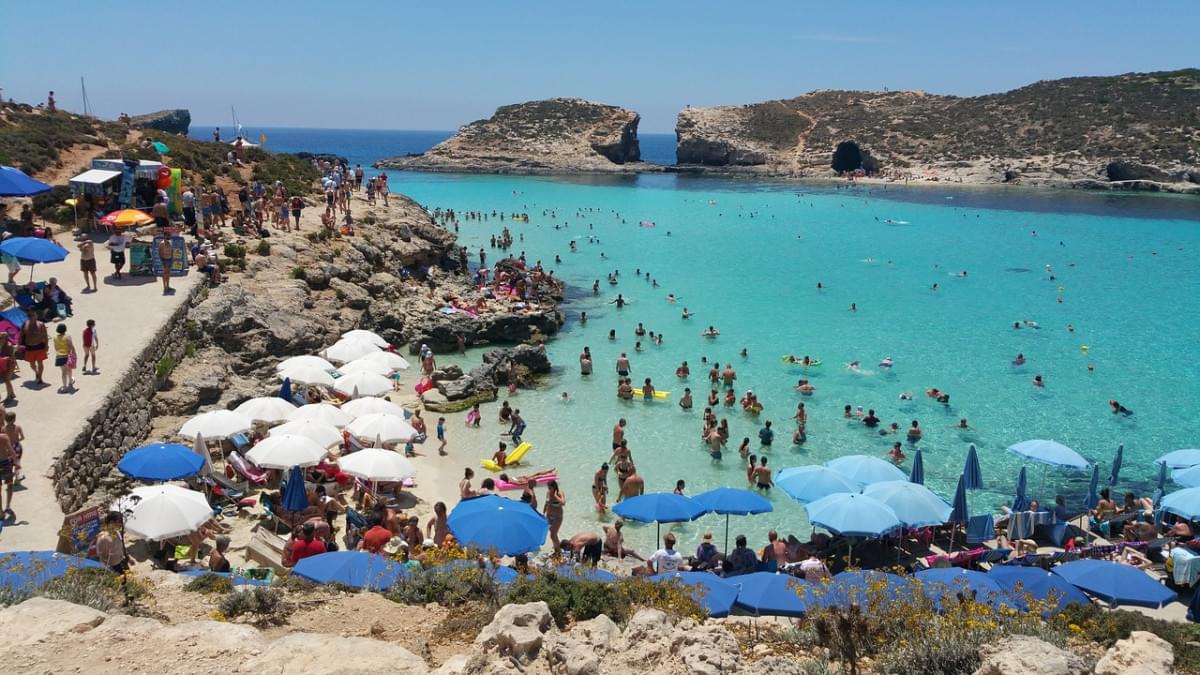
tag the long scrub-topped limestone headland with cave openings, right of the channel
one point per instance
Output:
(1133, 128)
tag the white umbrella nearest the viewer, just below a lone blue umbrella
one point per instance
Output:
(161, 512)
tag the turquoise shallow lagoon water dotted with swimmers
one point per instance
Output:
(747, 256)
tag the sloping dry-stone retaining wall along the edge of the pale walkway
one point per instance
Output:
(86, 473)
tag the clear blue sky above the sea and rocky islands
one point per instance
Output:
(441, 64)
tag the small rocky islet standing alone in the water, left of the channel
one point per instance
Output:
(551, 136)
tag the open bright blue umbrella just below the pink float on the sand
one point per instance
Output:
(491, 523)
